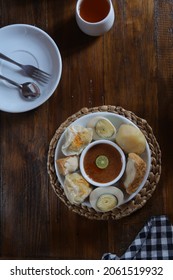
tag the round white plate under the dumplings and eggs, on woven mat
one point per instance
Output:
(117, 120)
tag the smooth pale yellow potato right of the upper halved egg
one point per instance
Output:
(131, 139)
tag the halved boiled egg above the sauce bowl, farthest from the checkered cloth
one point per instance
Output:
(102, 128)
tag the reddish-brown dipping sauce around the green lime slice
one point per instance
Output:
(111, 171)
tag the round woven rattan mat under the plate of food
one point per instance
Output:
(146, 192)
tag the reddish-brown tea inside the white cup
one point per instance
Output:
(94, 10)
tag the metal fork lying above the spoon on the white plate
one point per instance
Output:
(30, 70)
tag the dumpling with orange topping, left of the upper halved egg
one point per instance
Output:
(77, 138)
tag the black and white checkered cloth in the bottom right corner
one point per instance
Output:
(153, 242)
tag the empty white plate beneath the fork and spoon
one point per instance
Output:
(28, 45)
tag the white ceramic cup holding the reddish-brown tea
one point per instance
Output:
(95, 28)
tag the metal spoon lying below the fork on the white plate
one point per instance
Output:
(29, 90)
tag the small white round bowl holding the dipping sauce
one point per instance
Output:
(90, 180)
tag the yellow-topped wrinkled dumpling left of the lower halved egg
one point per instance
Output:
(76, 188)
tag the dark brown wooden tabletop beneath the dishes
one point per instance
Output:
(130, 66)
